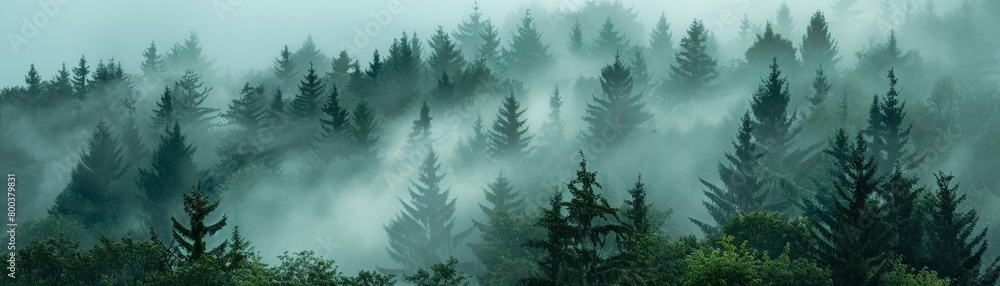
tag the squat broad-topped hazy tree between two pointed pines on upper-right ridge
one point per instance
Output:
(771, 46)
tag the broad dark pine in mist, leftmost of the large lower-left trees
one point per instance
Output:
(87, 196)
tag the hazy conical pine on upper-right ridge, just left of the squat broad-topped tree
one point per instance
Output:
(694, 68)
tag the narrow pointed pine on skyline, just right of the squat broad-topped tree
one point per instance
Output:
(818, 47)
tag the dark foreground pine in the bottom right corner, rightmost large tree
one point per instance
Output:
(955, 247)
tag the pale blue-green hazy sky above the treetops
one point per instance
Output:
(243, 34)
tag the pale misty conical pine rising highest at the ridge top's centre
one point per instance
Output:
(527, 55)
